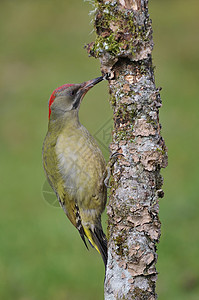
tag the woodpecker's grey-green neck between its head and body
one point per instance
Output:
(69, 120)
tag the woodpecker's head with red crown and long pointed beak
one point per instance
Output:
(68, 97)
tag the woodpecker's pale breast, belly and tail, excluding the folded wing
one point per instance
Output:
(83, 168)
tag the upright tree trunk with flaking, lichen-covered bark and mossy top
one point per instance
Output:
(124, 45)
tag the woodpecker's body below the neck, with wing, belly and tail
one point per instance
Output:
(75, 169)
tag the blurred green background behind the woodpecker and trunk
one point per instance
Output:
(41, 48)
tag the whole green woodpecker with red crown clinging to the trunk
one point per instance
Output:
(74, 164)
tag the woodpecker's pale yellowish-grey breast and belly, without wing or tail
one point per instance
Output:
(80, 163)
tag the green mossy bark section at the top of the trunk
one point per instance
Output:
(118, 31)
